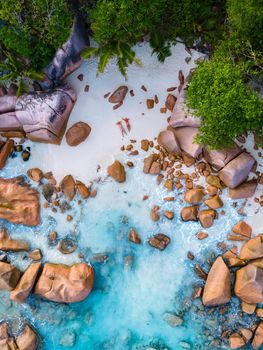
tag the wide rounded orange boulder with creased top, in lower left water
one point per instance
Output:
(66, 284)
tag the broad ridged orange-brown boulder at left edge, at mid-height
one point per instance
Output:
(19, 203)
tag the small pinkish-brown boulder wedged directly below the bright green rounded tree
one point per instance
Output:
(220, 158)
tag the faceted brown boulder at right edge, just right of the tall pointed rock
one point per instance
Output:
(249, 284)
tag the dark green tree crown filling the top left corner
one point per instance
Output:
(34, 29)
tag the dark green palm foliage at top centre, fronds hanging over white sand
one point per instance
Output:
(119, 24)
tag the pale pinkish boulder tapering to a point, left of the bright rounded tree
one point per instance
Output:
(181, 116)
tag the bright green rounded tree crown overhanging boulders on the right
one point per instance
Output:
(227, 106)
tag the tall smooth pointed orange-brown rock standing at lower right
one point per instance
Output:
(217, 289)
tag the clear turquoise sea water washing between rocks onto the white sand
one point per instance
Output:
(136, 284)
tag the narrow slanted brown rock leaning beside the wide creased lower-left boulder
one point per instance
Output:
(25, 284)
